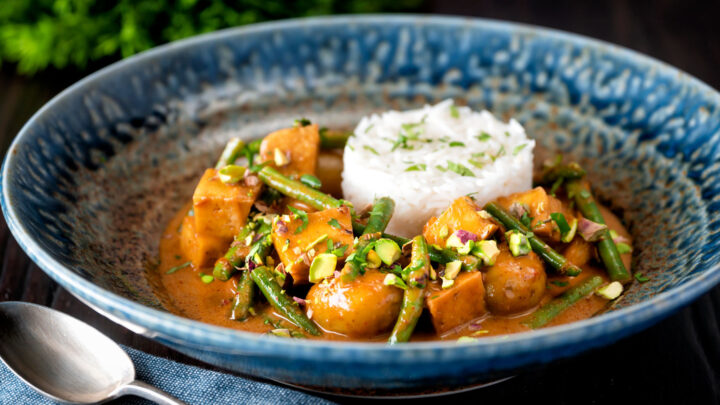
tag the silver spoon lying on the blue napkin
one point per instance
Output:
(66, 359)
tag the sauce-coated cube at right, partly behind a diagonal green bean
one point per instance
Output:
(540, 206)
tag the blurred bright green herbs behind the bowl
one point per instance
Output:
(37, 34)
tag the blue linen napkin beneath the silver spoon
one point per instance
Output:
(191, 384)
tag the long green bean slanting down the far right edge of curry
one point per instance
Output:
(609, 254)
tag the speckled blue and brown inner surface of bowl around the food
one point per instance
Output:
(99, 172)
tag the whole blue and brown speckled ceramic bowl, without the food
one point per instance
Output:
(94, 176)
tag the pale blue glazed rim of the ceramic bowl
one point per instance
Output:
(613, 324)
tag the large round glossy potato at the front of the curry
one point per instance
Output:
(362, 308)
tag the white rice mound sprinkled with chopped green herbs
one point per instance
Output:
(426, 158)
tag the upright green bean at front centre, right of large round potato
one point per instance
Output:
(413, 297)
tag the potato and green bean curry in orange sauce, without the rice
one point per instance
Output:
(268, 245)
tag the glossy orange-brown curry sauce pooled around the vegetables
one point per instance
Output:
(186, 295)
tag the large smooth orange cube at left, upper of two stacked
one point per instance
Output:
(221, 209)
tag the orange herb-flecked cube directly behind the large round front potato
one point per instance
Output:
(294, 249)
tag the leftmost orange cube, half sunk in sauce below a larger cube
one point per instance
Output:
(202, 250)
